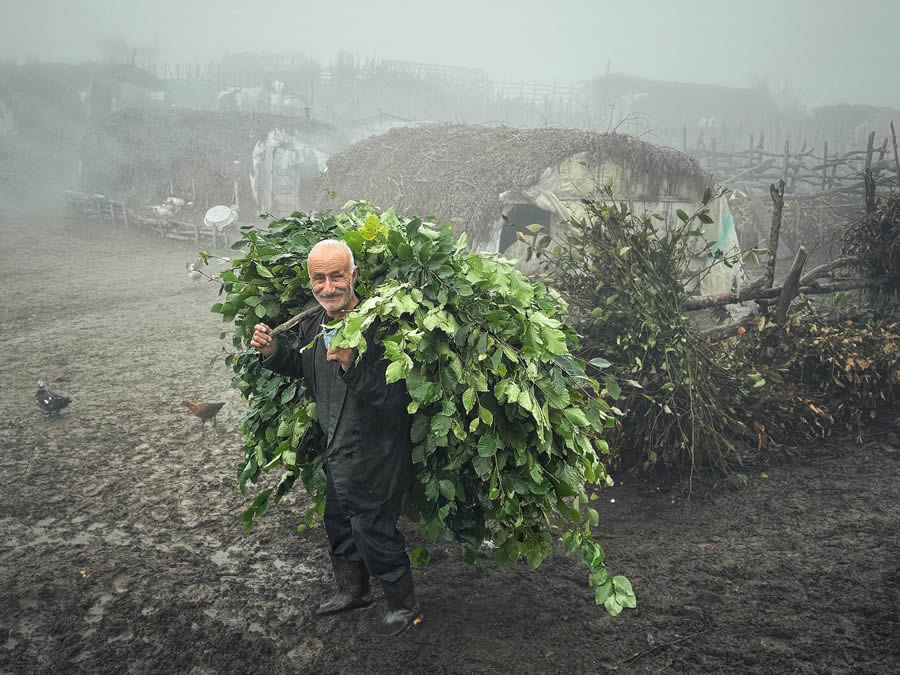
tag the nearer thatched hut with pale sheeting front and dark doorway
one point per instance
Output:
(490, 181)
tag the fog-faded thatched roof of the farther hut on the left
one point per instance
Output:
(133, 154)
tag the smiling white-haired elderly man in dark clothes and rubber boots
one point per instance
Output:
(368, 453)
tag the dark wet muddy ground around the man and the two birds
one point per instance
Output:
(121, 551)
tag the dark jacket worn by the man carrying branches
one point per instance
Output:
(365, 420)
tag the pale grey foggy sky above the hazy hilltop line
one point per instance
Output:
(824, 51)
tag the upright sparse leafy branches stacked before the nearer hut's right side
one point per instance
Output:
(625, 276)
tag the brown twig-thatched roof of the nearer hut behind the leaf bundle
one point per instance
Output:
(457, 172)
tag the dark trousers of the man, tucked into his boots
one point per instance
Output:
(370, 536)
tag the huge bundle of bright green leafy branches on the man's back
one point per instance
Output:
(507, 424)
